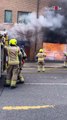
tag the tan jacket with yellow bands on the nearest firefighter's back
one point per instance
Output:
(13, 53)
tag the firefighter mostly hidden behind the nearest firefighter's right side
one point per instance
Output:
(22, 60)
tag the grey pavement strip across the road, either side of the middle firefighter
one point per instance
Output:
(31, 67)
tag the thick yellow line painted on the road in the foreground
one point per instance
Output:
(26, 107)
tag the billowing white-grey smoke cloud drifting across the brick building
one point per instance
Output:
(49, 19)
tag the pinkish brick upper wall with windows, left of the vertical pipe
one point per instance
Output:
(14, 8)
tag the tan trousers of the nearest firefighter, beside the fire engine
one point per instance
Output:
(11, 77)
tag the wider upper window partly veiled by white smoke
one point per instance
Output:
(22, 17)
